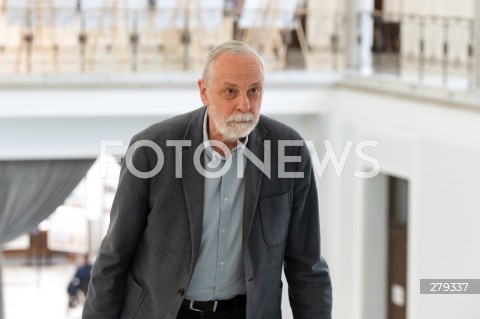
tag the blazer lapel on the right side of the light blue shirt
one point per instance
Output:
(253, 179)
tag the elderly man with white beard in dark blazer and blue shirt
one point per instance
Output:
(210, 205)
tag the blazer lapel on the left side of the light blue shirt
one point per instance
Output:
(193, 183)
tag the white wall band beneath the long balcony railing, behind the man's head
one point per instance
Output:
(66, 120)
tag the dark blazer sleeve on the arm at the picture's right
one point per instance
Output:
(310, 289)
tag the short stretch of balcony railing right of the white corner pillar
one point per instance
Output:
(424, 49)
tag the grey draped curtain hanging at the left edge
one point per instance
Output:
(30, 191)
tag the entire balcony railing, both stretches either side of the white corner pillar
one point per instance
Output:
(177, 34)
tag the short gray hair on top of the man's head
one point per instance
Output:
(232, 47)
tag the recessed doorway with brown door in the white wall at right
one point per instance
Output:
(385, 225)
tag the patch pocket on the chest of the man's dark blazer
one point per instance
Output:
(275, 217)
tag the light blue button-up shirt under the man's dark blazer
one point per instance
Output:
(219, 273)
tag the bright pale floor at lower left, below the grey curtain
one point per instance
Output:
(38, 291)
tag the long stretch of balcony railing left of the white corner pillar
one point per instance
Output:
(47, 39)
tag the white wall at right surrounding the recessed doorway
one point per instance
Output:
(437, 149)
